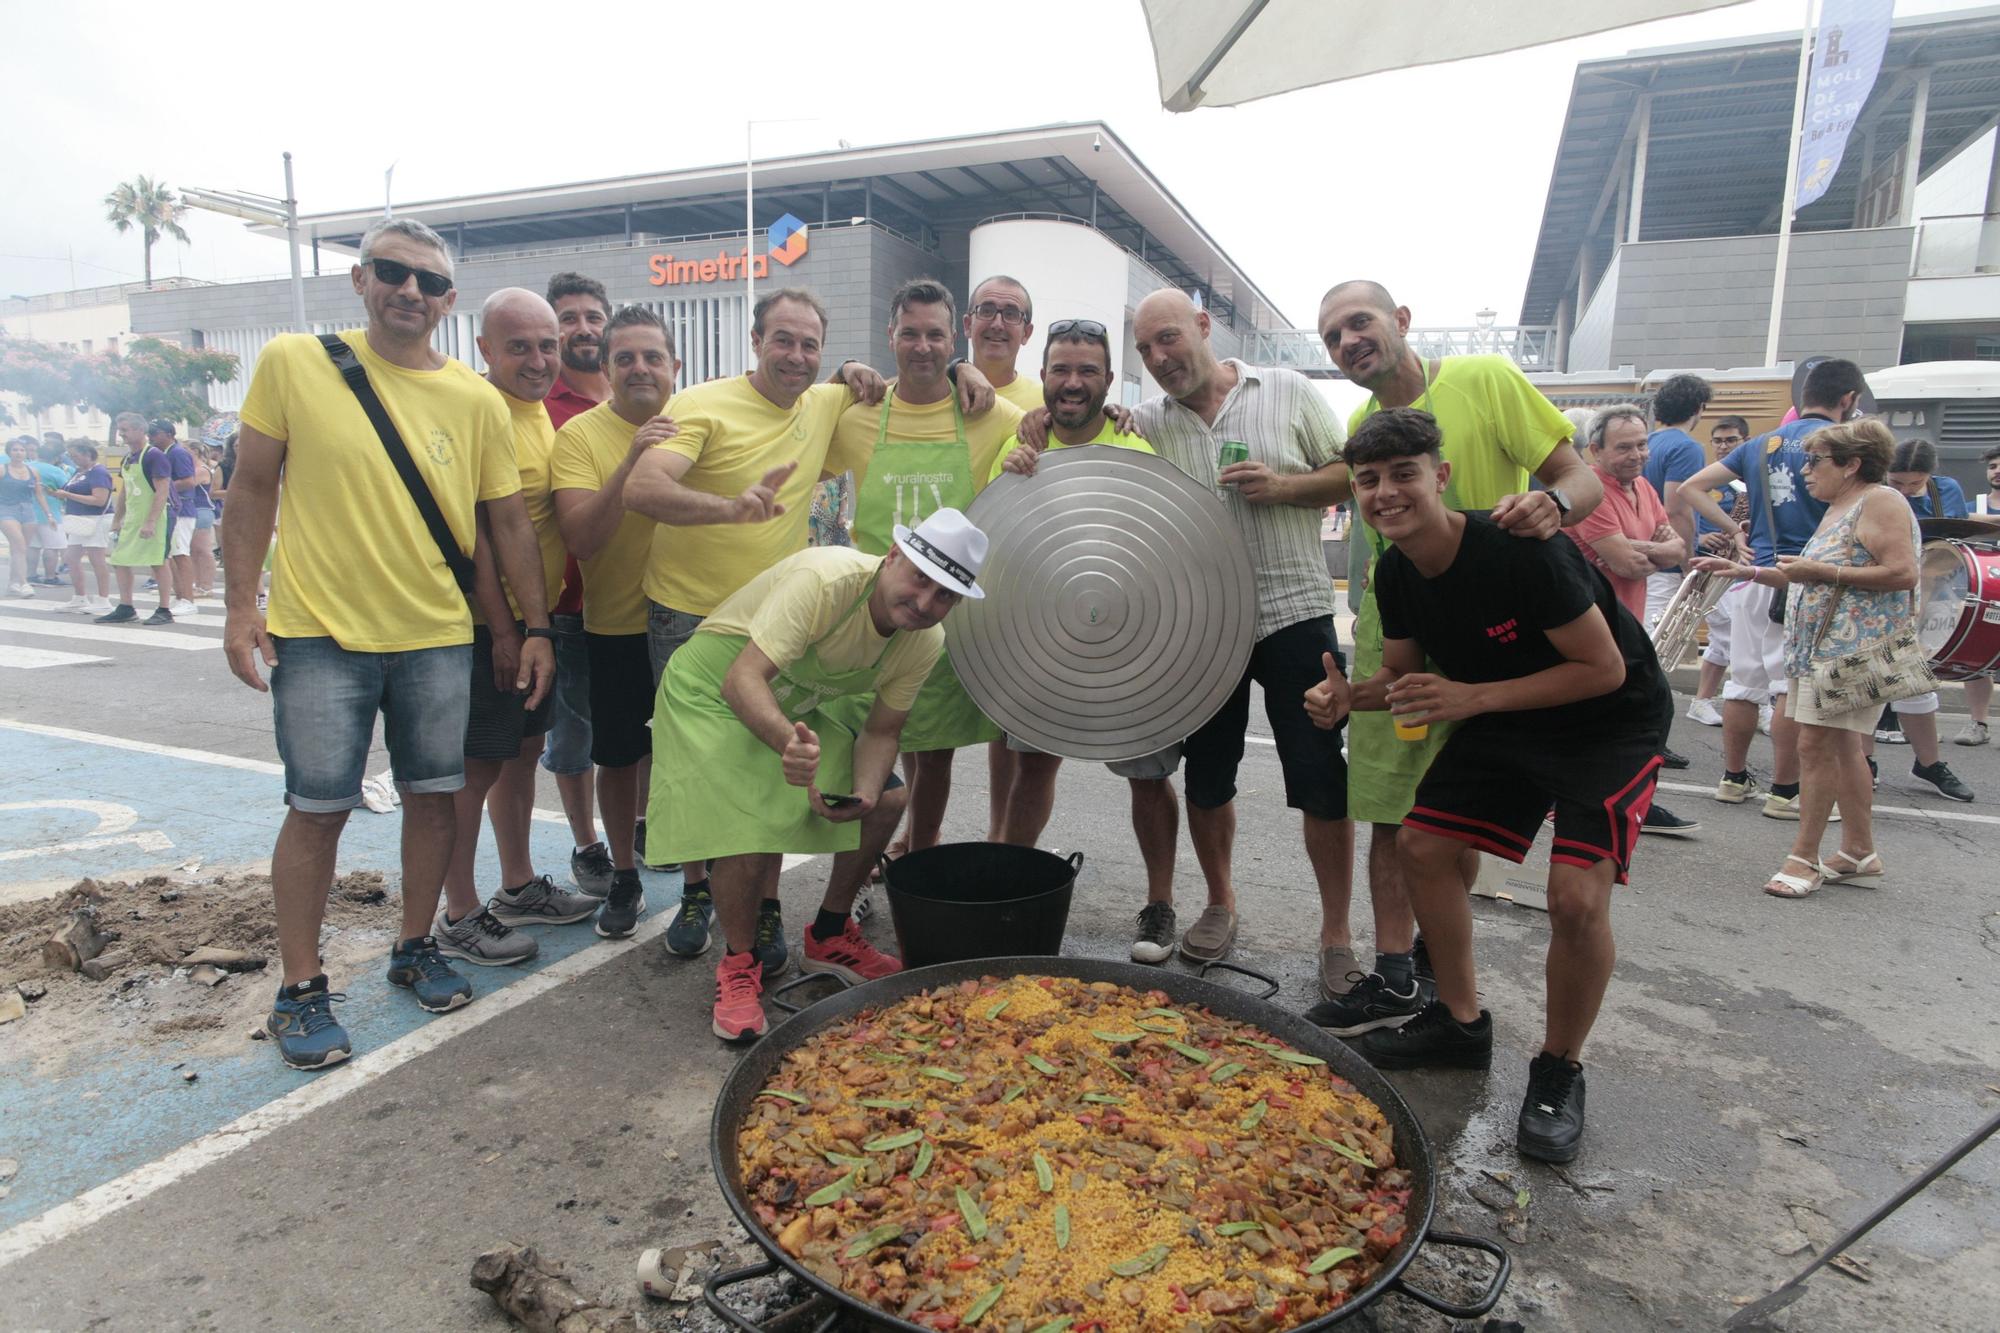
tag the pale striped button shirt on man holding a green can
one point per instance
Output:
(1289, 429)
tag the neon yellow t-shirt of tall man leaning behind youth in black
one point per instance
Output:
(1497, 429)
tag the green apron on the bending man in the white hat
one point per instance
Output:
(717, 788)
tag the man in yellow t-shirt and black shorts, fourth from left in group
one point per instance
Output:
(595, 455)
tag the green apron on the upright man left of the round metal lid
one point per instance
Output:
(907, 483)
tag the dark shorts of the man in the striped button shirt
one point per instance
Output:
(1285, 663)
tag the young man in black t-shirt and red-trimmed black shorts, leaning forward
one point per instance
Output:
(1563, 706)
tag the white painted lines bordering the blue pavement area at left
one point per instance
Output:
(93, 1206)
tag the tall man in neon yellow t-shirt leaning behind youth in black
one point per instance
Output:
(1499, 431)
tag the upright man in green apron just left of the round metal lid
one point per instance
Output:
(915, 455)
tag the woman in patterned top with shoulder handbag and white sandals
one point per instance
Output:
(1851, 645)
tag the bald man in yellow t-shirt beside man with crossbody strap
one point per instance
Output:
(523, 347)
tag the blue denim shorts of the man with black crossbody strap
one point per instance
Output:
(325, 702)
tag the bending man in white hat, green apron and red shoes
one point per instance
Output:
(777, 732)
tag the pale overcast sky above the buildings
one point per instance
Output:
(1431, 179)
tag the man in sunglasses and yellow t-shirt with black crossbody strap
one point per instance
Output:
(365, 611)
